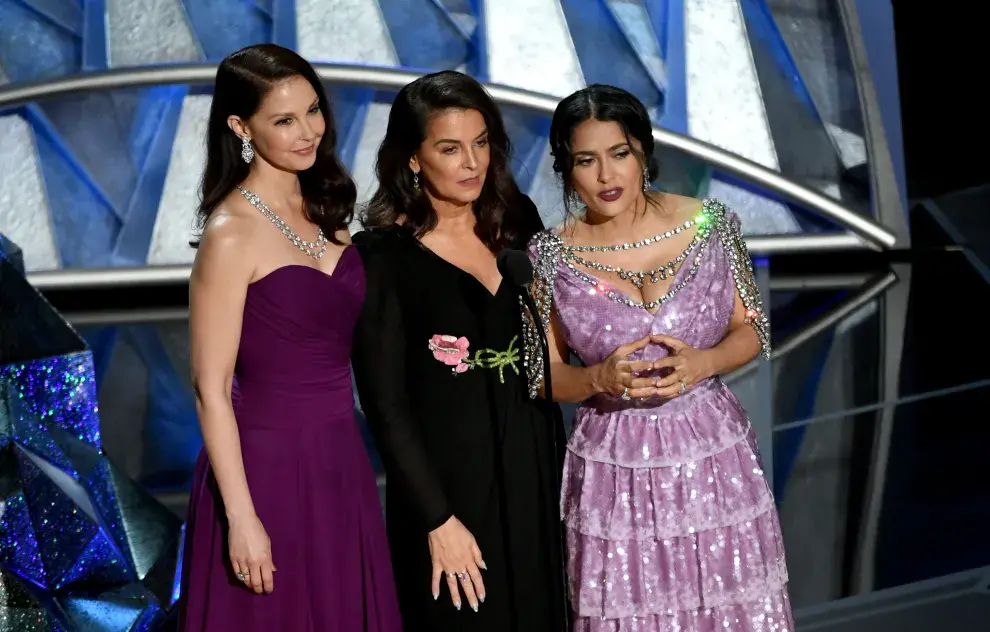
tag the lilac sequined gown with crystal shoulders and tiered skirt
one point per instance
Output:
(670, 523)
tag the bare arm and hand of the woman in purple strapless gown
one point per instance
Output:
(217, 291)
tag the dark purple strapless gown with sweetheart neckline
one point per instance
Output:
(310, 477)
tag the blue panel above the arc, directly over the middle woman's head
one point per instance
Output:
(438, 42)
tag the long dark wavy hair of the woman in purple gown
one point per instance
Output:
(243, 81)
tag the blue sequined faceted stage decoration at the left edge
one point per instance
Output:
(82, 547)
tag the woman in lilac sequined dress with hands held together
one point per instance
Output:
(670, 522)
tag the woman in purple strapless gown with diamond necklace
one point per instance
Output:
(284, 481)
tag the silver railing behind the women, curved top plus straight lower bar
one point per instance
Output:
(864, 232)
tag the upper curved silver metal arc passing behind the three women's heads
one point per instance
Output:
(394, 79)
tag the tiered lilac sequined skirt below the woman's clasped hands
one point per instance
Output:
(671, 525)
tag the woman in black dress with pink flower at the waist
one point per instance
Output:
(472, 462)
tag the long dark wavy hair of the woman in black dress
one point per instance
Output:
(500, 210)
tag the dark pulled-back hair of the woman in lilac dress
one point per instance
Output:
(606, 104)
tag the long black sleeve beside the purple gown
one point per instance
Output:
(379, 363)
